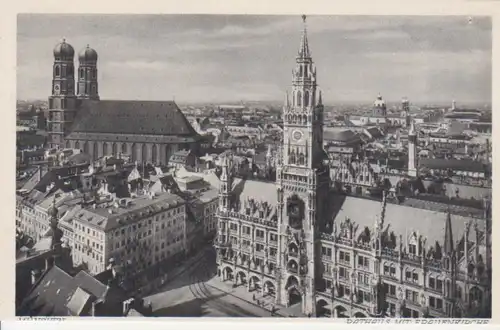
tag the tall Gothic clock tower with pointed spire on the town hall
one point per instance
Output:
(303, 182)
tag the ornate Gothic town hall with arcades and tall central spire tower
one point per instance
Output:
(344, 256)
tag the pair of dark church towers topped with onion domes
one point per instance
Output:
(63, 103)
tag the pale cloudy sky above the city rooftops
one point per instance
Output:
(205, 58)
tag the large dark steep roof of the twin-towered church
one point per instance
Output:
(132, 117)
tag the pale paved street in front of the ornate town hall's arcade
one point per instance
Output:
(198, 292)
